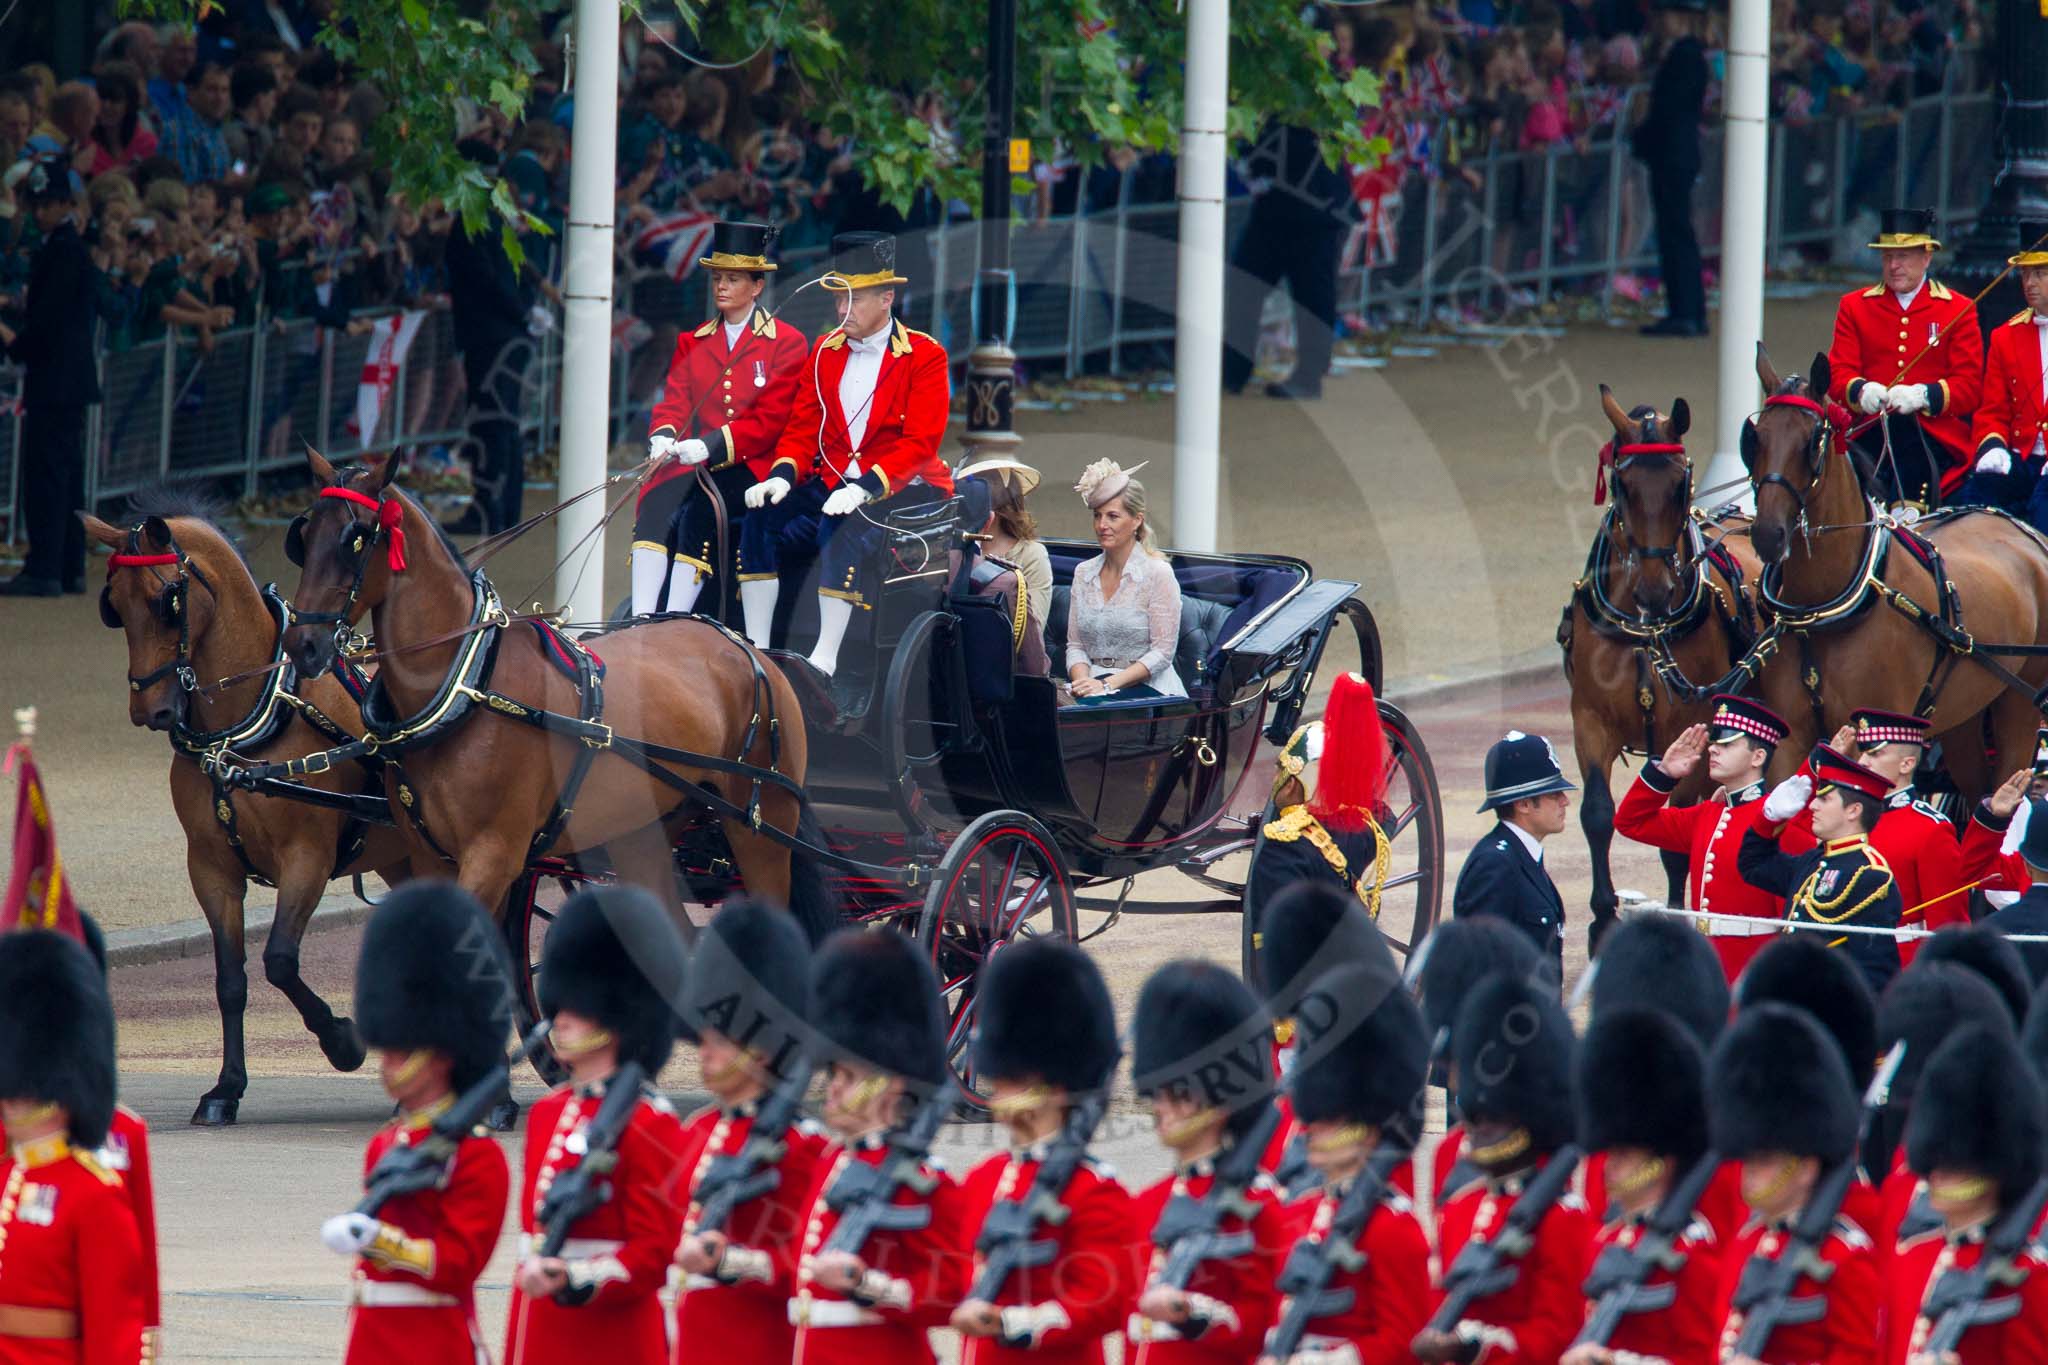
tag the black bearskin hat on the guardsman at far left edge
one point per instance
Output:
(56, 1030)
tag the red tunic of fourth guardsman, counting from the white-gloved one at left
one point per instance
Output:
(925, 1272)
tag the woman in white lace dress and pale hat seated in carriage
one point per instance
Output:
(1123, 623)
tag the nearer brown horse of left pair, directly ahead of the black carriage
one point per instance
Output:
(478, 793)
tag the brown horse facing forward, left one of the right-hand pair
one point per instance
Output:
(1650, 595)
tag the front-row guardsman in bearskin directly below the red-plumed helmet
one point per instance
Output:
(1361, 1084)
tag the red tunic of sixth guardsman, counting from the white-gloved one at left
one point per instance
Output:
(1236, 1298)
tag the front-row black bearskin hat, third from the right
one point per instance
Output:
(1641, 1082)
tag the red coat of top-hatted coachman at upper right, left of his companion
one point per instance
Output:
(1932, 343)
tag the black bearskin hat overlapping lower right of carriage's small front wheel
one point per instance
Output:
(1043, 1012)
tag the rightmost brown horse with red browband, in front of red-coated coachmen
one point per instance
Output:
(1850, 592)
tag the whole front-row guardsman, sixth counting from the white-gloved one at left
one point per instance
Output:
(1199, 1057)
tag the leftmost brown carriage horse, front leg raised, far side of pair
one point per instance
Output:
(191, 613)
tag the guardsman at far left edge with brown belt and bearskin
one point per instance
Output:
(73, 1276)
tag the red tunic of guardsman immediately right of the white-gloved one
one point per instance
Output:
(626, 1247)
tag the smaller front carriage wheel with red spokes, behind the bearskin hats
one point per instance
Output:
(1000, 881)
